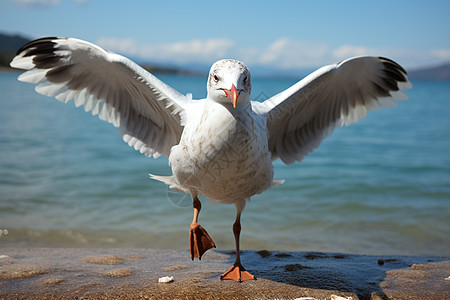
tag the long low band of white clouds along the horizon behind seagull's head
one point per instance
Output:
(283, 53)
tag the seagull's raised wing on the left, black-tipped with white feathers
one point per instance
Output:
(150, 114)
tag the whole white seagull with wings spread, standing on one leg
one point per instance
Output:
(221, 147)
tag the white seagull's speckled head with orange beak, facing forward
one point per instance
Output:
(229, 82)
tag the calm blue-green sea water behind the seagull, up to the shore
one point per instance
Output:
(380, 186)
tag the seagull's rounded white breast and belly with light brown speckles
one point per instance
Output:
(222, 156)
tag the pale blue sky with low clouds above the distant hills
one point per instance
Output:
(286, 35)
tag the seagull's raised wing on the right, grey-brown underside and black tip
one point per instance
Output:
(299, 118)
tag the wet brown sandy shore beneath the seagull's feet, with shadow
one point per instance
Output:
(56, 273)
